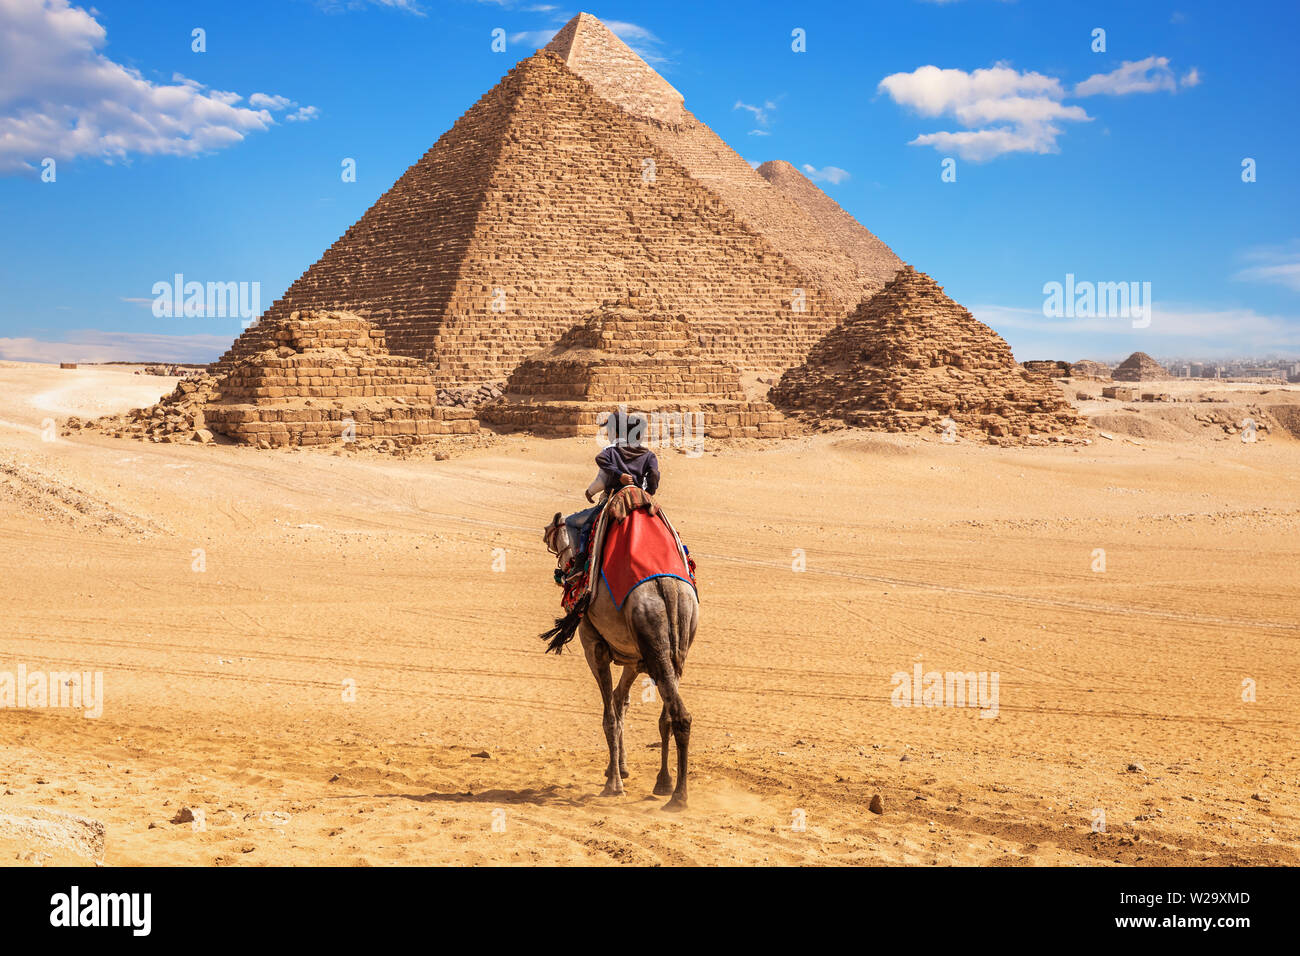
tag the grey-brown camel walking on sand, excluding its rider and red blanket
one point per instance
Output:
(651, 635)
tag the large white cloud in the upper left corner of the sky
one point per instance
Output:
(62, 98)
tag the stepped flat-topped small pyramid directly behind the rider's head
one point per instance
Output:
(636, 353)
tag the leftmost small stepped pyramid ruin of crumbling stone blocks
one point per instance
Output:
(330, 378)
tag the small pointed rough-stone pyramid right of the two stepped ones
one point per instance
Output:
(909, 358)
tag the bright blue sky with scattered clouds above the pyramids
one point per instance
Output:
(1123, 166)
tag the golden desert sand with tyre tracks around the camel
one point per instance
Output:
(231, 599)
